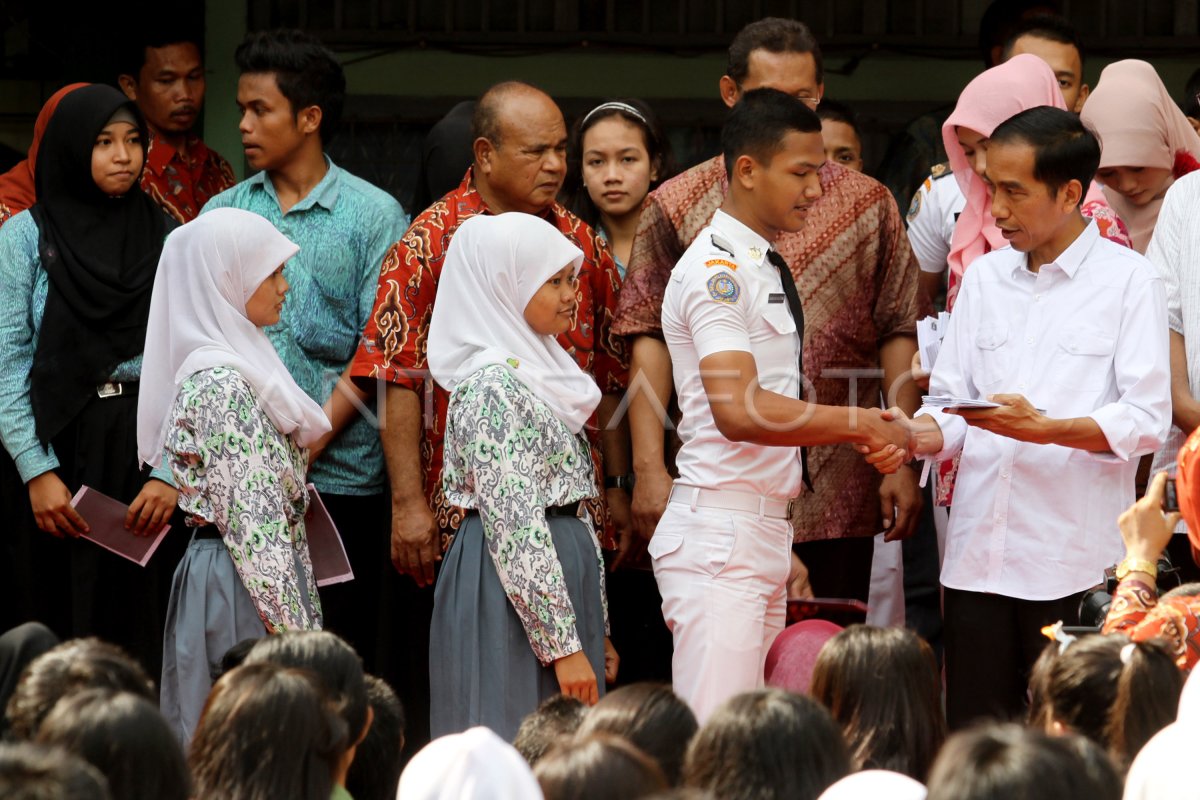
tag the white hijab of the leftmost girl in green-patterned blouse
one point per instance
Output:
(209, 269)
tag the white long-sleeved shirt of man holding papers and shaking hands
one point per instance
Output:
(1084, 336)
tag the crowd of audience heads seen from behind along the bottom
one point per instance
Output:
(295, 717)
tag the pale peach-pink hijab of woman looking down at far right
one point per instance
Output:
(1139, 125)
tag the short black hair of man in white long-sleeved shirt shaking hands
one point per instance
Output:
(1064, 148)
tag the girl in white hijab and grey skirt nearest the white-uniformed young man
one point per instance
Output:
(520, 609)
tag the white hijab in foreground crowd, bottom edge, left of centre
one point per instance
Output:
(472, 766)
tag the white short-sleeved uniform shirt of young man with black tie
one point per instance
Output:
(719, 302)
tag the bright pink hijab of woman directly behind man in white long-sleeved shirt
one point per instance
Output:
(1022, 83)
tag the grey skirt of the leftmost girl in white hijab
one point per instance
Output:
(209, 612)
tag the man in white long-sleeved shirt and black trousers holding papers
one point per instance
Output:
(1063, 321)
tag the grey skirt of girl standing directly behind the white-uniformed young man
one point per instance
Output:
(483, 671)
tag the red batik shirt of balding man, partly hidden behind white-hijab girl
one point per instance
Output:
(394, 344)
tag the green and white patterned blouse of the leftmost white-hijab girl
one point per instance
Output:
(235, 470)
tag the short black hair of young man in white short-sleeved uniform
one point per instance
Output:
(759, 123)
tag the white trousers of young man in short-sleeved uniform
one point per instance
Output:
(723, 576)
